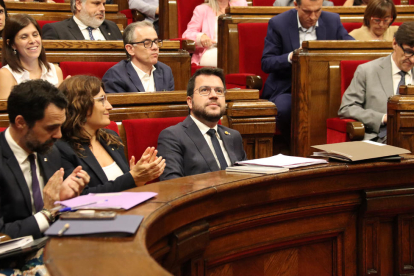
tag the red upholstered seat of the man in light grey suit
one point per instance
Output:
(336, 127)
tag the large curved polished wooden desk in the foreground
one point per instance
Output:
(337, 219)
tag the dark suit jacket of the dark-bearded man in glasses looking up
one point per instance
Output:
(186, 151)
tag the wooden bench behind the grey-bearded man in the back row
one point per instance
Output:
(59, 11)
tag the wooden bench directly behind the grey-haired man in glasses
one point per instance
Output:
(171, 54)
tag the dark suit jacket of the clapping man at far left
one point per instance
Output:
(16, 219)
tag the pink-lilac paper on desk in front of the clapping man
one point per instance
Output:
(123, 200)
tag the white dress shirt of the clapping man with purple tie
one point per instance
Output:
(23, 159)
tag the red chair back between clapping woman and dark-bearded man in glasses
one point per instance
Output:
(143, 133)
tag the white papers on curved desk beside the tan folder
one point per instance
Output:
(283, 161)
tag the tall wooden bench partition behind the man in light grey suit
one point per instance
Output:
(316, 86)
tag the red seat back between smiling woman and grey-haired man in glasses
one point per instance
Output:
(97, 69)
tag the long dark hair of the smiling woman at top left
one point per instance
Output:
(14, 24)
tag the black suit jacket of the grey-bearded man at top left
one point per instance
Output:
(69, 30)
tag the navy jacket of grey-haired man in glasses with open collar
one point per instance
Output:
(123, 78)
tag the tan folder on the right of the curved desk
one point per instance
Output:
(358, 150)
